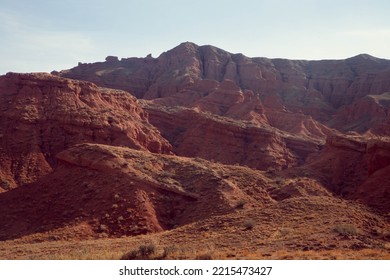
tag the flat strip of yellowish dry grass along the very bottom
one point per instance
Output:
(111, 249)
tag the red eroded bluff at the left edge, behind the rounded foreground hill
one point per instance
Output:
(42, 115)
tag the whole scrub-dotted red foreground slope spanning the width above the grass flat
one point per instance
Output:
(100, 191)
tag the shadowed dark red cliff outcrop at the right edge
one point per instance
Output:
(355, 167)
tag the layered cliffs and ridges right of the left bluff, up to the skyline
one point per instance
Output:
(264, 113)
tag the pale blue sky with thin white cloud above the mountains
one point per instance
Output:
(47, 35)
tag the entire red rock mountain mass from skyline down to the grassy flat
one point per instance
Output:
(144, 145)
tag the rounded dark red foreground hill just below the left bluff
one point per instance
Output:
(115, 191)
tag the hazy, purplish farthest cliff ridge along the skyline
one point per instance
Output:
(318, 89)
